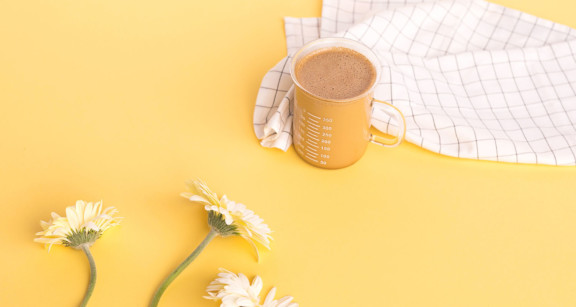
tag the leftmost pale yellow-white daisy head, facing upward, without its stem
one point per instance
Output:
(83, 224)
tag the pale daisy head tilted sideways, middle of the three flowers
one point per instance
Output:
(237, 219)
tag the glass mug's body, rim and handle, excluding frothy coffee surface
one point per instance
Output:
(333, 133)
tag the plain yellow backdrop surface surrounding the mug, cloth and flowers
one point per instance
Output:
(125, 100)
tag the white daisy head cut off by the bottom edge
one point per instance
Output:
(235, 290)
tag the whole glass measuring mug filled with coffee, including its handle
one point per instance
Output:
(334, 132)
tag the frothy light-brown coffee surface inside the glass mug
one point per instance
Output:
(335, 73)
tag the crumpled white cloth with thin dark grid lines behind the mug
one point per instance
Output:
(473, 79)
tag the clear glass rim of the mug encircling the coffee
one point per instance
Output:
(330, 42)
